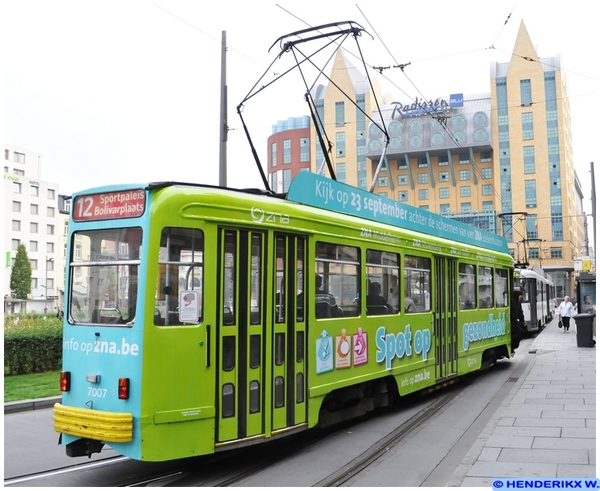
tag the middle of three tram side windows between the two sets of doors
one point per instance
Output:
(382, 288)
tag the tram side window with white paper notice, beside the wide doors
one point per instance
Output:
(180, 270)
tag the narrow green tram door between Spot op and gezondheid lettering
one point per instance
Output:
(445, 318)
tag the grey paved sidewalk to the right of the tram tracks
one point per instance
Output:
(547, 425)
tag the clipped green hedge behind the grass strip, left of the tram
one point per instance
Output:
(32, 344)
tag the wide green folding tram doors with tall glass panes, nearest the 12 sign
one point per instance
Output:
(254, 353)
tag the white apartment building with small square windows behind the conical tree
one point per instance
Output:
(32, 218)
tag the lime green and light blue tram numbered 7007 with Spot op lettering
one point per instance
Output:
(200, 318)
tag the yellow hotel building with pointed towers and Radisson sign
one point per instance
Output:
(501, 161)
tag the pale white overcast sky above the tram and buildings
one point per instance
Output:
(128, 91)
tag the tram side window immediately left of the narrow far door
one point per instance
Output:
(417, 284)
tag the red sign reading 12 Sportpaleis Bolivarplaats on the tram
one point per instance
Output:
(109, 205)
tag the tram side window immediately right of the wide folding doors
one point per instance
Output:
(336, 270)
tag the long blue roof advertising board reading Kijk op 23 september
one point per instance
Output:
(314, 190)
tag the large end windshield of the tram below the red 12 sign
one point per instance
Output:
(104, 276)
